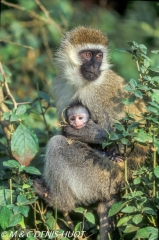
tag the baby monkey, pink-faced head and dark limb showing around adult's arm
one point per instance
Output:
(77, 116)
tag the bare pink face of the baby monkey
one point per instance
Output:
(78, 121)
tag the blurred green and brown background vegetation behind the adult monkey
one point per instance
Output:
(31, 31)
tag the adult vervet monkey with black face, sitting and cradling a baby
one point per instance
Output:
(72, 170)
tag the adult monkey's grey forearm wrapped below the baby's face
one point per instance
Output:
(91, 133)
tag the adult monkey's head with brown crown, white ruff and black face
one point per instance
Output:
(82, 57)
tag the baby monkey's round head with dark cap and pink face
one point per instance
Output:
(77, 115)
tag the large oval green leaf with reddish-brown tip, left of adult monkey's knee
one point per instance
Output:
(24, 145)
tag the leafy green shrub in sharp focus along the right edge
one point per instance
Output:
(139, 206)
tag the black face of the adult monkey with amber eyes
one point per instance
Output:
(92, 60)
